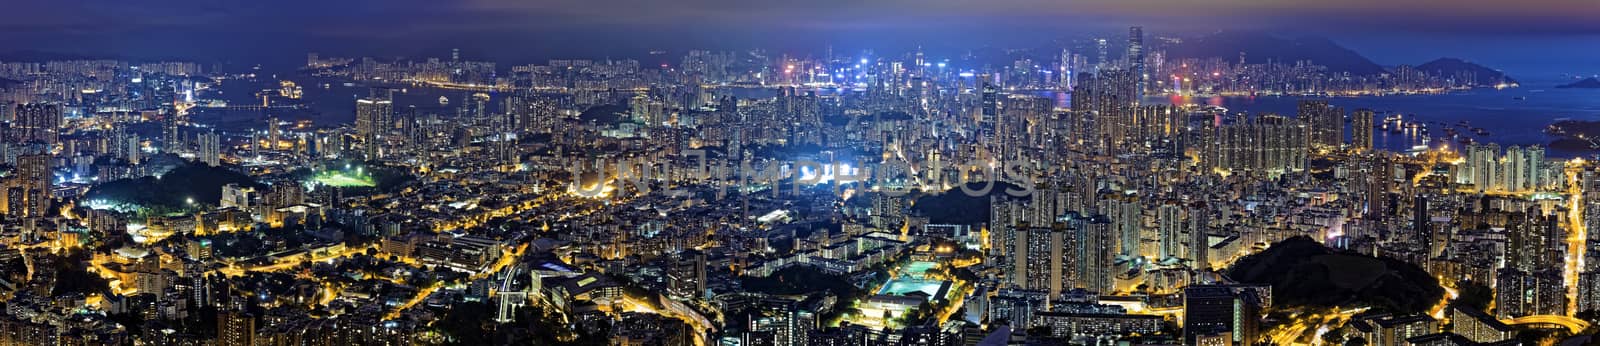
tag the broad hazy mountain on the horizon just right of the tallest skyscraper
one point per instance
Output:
(1260, 49)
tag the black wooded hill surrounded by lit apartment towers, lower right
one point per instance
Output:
(1305, 273)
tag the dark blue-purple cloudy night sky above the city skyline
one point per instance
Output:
(1534, 38)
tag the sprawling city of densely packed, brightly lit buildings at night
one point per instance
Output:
(607, 199)
